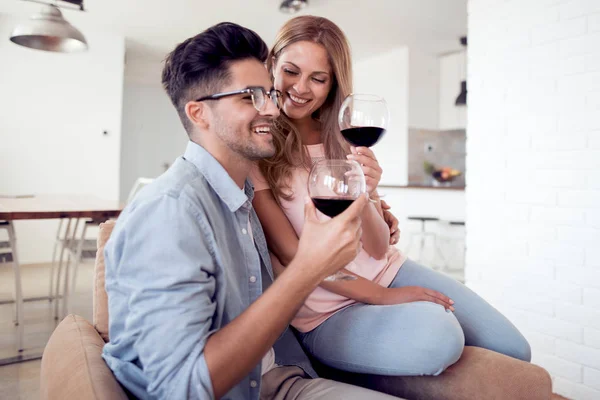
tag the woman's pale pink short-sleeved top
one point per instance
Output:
(322, 304)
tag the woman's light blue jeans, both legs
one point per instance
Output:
(419, 338)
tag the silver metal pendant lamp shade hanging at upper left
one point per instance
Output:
(49, 31)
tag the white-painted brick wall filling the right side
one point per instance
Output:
(533, 186)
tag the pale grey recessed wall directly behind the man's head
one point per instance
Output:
(152, 134)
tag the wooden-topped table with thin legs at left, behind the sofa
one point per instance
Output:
(72, 207)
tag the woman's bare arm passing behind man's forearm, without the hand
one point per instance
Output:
(283, 243)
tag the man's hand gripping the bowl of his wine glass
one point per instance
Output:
(330, 245)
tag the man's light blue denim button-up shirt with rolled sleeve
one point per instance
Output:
(180, 265)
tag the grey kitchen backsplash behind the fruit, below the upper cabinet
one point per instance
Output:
(440, 148)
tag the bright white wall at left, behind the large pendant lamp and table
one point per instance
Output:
(54, 109)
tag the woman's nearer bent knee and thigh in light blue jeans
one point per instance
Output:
(418, 339)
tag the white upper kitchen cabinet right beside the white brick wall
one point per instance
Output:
(452, 71)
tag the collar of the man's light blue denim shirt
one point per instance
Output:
(218, 178)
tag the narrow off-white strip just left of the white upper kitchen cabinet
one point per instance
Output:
(424, 88)
